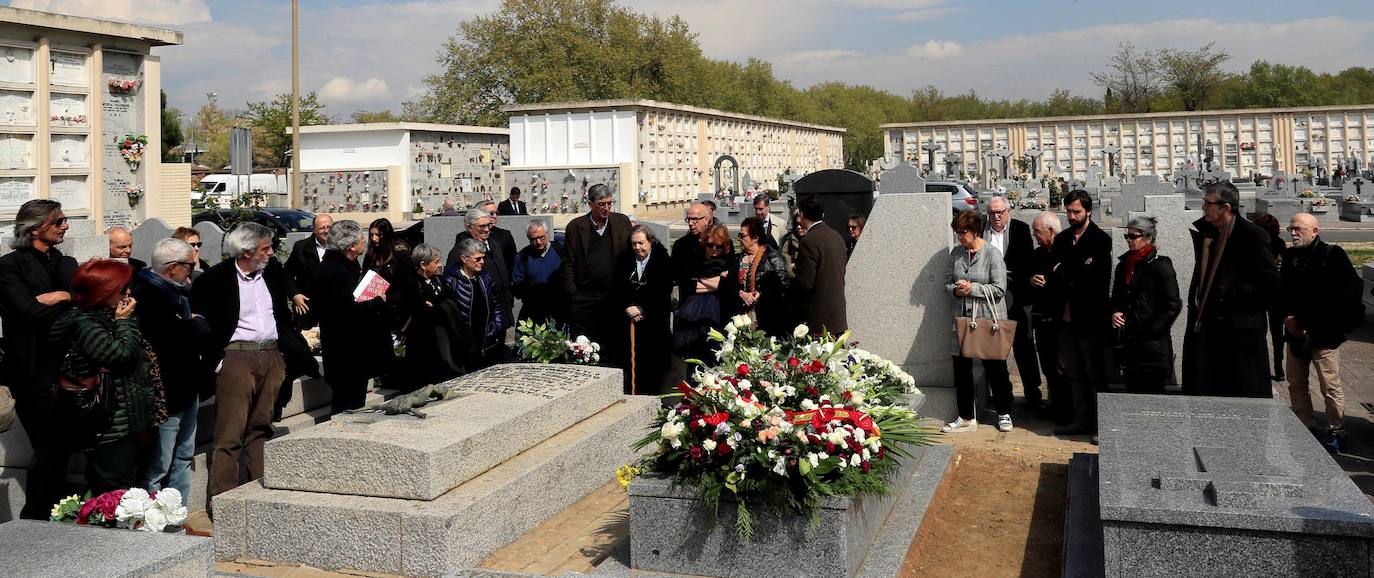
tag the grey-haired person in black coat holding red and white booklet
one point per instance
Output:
(354, 336)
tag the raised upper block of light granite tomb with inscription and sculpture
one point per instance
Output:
(504, 411)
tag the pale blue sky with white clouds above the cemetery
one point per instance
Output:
(374, 54)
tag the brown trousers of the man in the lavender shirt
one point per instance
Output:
(244, 397)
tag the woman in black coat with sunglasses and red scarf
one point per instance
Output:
(1145, 303)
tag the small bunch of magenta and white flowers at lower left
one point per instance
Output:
(134, 509)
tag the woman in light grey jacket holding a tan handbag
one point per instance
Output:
(978, 282)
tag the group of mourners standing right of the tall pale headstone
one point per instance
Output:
(1075, 316)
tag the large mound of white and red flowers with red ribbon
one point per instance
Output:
(785, 424)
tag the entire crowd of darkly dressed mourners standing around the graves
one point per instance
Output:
(111, 358)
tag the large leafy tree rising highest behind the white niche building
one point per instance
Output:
(534, 51)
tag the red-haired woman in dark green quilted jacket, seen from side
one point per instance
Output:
(109, 385)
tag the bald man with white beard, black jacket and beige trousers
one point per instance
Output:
(1316, 329)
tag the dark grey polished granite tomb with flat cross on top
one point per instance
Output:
(1224, 487)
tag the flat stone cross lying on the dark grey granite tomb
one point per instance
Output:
(1233, 478)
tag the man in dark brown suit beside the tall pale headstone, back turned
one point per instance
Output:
(821, 273)
